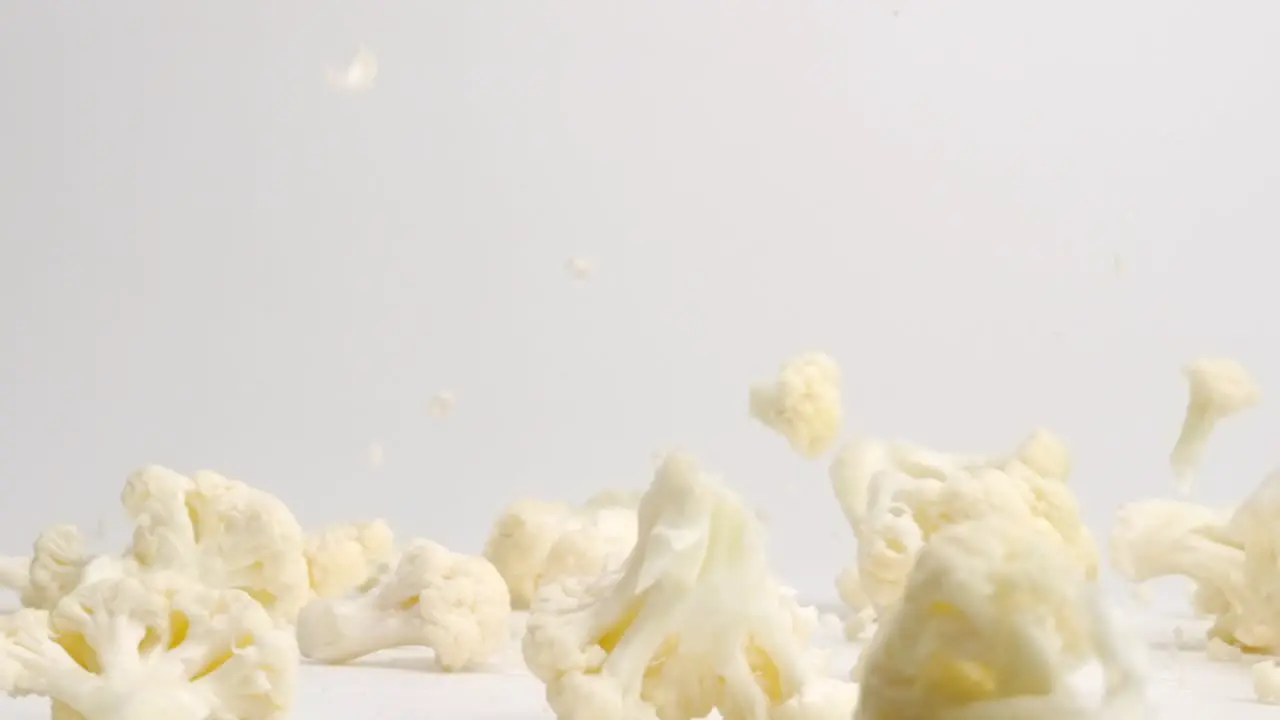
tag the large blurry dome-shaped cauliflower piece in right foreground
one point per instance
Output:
(994, 622)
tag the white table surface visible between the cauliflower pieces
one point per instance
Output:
(403, 686)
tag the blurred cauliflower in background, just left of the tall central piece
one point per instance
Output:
(536, 540)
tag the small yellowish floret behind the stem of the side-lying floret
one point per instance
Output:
(342, 558)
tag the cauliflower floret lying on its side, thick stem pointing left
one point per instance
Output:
(456, 605)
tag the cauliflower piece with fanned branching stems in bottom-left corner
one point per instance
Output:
(156, 649)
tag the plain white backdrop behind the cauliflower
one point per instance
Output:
(214, 261)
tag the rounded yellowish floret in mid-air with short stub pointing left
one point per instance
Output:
(803, 404)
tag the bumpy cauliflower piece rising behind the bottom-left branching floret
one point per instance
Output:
(220, 532)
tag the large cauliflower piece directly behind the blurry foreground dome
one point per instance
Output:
(897, 496)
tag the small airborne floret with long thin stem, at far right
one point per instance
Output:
(1218, 389)
